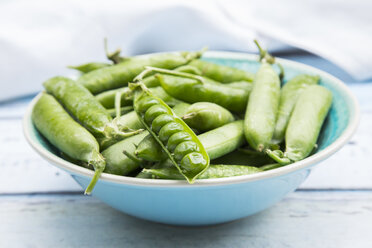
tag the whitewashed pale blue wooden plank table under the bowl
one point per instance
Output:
(41, 206)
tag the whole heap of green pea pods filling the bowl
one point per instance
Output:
(175, 116)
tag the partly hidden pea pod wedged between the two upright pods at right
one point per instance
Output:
(288, 97)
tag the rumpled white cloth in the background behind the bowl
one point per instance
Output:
(39, 38)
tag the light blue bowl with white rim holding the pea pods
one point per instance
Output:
(213, 201)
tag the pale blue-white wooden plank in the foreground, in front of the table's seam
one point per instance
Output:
(303, 219)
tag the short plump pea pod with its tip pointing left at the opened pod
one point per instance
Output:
(205, 116)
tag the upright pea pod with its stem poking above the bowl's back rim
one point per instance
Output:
(259, 121)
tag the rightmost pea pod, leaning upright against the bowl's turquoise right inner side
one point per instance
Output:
(304, 124)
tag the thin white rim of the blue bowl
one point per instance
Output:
(307, 162)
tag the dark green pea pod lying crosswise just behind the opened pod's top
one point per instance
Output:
(196, 89)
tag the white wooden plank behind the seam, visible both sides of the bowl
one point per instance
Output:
(25, 171)
